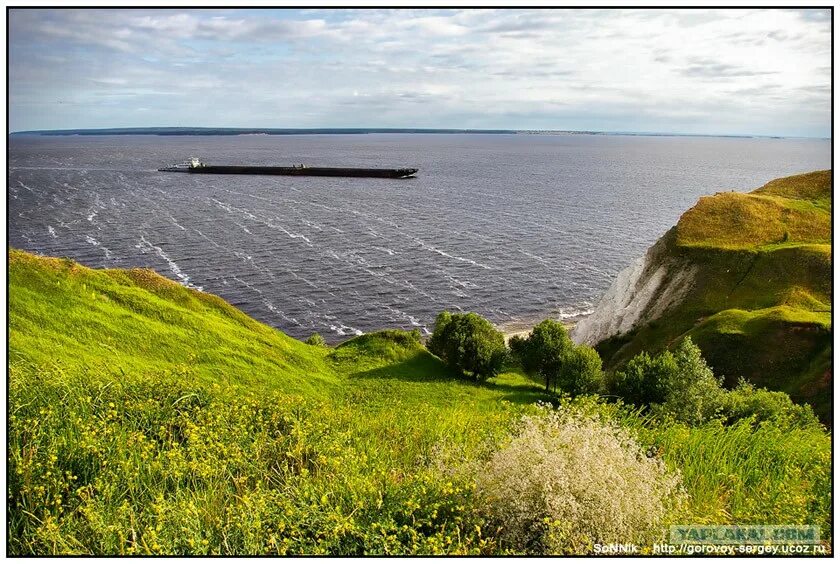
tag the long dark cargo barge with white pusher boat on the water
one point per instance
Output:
(195, 166)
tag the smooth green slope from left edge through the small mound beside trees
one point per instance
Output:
(136, 321)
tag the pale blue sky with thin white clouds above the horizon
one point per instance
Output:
(752, 72)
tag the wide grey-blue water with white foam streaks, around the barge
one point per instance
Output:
(514, 227)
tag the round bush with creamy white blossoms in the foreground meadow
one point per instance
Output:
(569, 479)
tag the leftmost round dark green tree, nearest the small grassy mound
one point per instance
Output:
(469, 343)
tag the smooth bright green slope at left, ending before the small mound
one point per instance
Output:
(138, 321)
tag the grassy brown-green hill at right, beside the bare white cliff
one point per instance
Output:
(759, 305)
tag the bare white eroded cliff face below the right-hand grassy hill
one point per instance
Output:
(642, 292)
